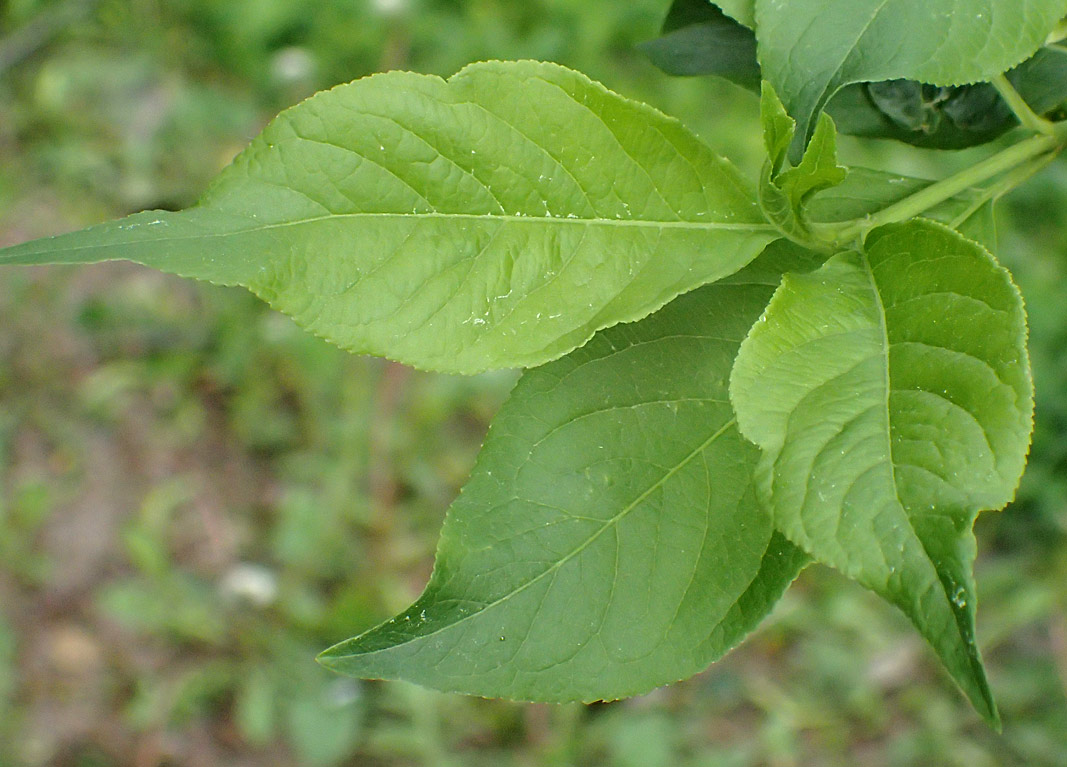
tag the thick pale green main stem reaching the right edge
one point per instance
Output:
(1010, 159)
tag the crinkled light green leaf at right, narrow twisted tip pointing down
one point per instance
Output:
(891, 395)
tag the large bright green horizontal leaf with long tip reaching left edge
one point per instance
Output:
(495, 220)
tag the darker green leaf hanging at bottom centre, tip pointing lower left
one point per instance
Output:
(610, 540)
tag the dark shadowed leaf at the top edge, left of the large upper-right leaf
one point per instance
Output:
(700, 40)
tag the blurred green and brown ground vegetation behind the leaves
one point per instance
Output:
(197, 498)
